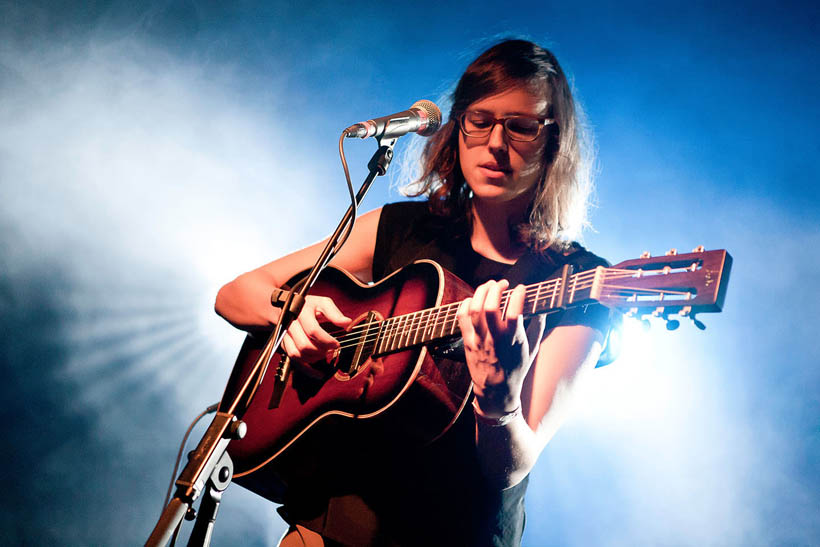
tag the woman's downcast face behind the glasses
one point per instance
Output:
(496, 168)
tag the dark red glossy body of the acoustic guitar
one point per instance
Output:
(337, 417)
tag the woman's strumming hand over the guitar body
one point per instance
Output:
(306, 341)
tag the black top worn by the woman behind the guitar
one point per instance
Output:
(436, 495)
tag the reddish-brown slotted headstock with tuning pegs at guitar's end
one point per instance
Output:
(683, 284)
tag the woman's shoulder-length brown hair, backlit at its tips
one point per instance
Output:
(558, 211)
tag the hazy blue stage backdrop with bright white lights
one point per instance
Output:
(151, 152)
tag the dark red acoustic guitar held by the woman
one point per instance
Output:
(397, 377)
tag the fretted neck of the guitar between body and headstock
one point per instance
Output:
(404, 331)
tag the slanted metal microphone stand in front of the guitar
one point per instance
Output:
(209, 466)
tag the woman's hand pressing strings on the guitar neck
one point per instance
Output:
(498, 347)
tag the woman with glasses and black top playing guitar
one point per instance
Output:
(504, 180)
